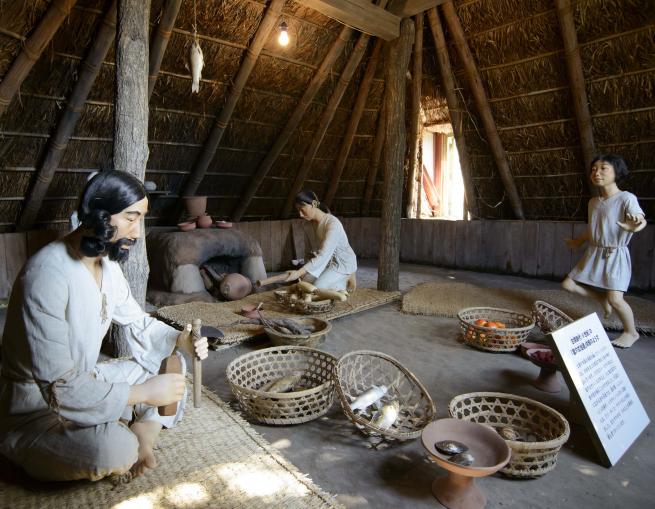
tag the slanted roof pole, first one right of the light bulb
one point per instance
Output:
(311, 91)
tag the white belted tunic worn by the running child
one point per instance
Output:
(606, 262)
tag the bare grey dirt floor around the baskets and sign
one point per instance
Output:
(342, 462)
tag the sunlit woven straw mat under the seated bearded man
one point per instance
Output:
(212, 459)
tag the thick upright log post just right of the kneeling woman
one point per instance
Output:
(396, 60)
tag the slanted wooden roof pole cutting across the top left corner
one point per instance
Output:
(32, 49)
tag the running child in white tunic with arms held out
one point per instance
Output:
(604, 271)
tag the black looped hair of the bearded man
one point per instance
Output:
(106, 194)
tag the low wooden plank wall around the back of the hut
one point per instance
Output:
(526, 248)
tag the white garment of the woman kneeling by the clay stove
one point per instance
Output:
(335, 260)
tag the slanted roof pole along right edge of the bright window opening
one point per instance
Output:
(454, 109)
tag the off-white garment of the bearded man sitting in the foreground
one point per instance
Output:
(60, 408)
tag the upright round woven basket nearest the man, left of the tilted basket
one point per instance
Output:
(247, 373)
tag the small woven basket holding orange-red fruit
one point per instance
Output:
(518, 327)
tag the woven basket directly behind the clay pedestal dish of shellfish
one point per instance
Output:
(529, 459)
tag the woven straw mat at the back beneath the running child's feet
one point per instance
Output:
(446, 299)
